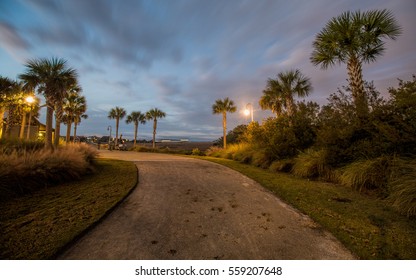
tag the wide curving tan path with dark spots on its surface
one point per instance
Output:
(185, 208)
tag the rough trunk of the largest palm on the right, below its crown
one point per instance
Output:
(357, 87)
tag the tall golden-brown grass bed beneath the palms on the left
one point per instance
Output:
(24, 171)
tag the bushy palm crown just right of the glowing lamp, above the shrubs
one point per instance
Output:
(279, 93)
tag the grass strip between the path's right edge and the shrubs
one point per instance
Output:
(364, 224)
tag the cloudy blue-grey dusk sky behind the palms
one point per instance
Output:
(182, 55)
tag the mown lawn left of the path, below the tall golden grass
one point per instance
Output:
(37, 226)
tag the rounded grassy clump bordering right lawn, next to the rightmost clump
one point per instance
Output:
(368, 174)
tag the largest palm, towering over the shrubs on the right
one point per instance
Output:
(355, 38)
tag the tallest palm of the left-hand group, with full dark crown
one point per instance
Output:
(51, 77)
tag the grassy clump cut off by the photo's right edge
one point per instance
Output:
(403, 187)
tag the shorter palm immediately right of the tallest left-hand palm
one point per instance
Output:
(74, 108)
